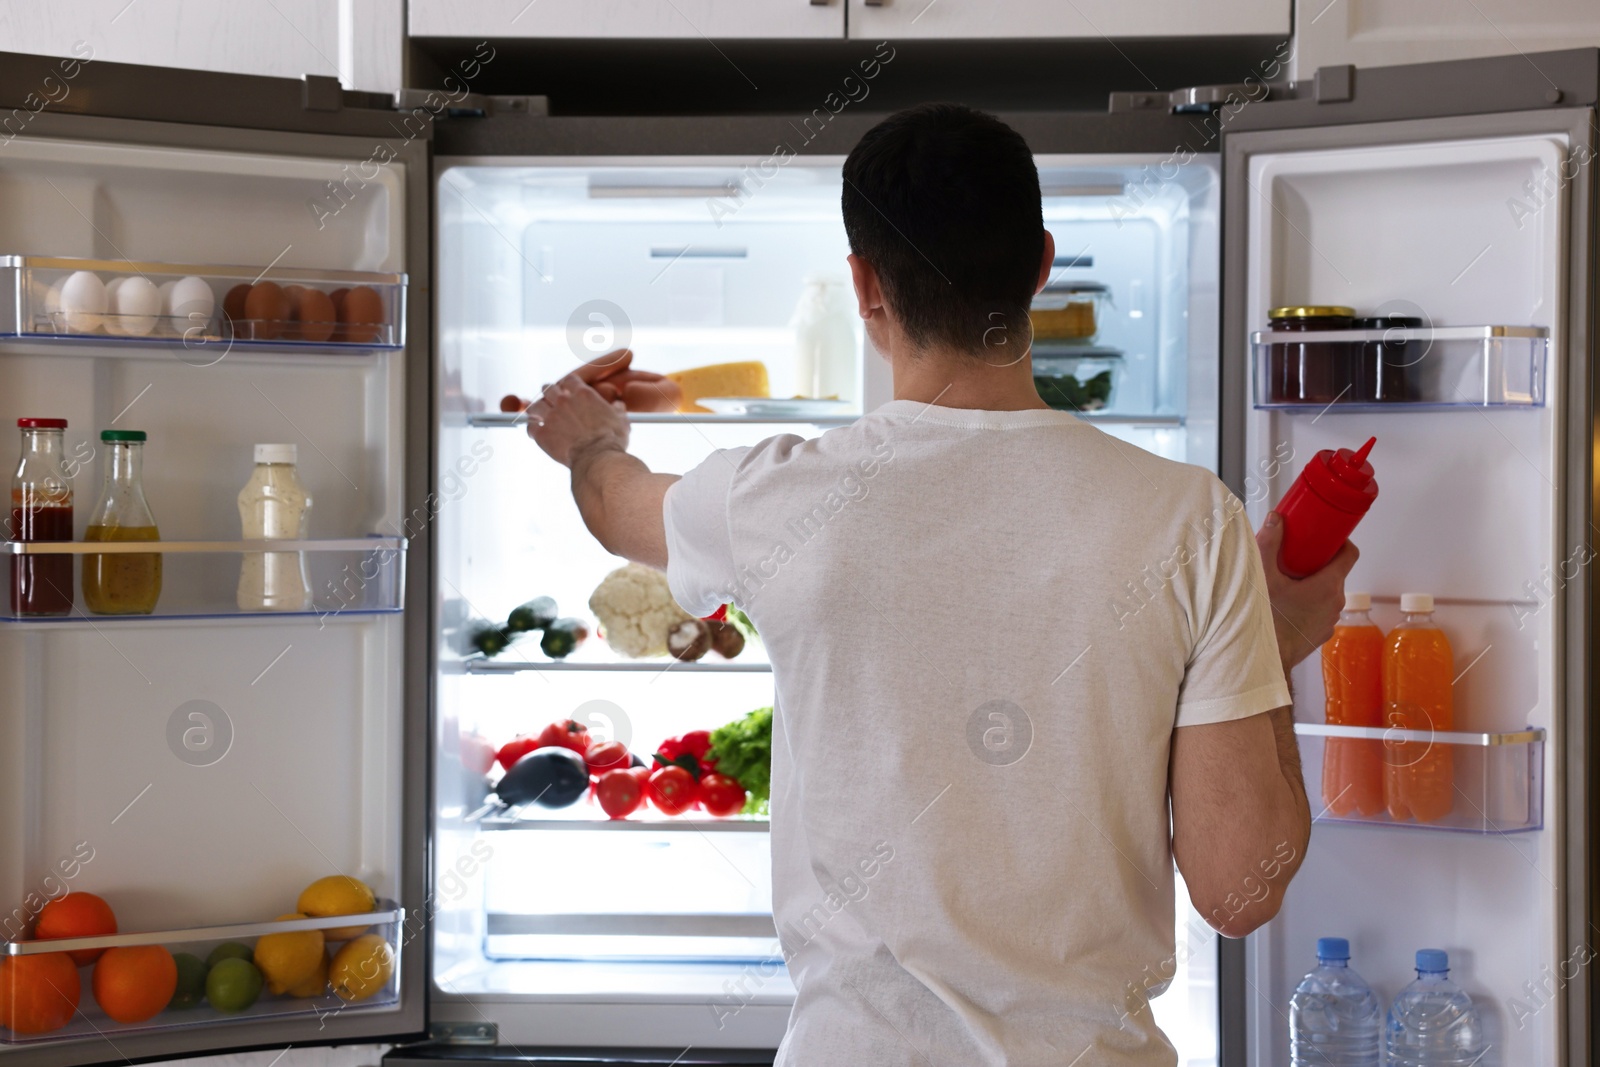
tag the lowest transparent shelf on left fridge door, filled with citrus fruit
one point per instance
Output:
(90, 1021)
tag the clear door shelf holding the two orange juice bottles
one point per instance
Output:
(1497, 780)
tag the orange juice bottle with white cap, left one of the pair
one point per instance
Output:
(1353, 674)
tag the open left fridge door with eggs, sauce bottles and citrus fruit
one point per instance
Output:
(206, 738)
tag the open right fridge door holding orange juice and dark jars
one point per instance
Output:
(1458, 226)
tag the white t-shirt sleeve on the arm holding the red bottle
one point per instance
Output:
(1234, 671)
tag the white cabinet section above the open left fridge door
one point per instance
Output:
(356, 41)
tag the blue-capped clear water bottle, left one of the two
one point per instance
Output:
(1335, 1018)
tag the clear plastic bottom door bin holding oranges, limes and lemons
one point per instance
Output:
(23, 962)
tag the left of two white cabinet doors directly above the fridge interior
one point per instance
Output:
(628, 18)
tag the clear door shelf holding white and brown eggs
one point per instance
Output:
(199, 308)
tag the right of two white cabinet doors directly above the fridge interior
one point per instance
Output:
(1049, 18)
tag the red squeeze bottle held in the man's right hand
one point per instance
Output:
(1324, 506)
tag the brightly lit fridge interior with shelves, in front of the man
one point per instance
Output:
(684, 241)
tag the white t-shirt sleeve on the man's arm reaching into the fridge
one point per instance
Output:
(700, 548)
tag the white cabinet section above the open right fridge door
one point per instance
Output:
(1388, 33)
